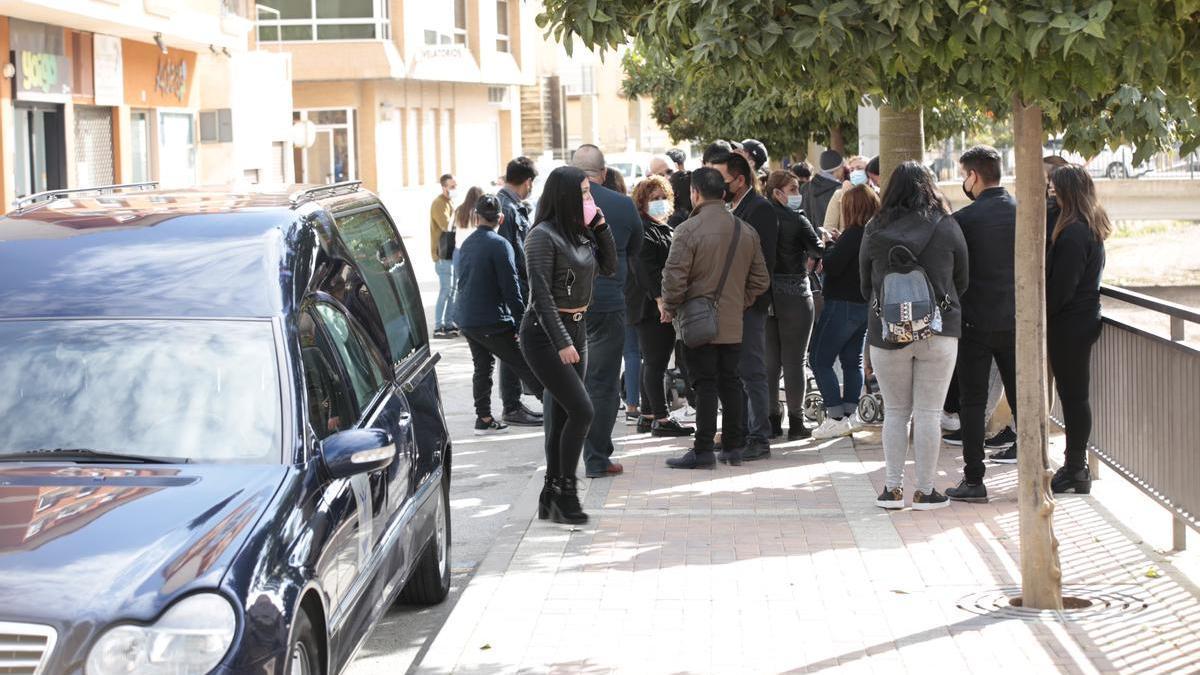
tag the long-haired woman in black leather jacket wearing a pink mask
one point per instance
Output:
(566, 250)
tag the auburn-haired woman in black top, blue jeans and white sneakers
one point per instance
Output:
(842, 330)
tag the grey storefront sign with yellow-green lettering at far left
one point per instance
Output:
(44, 73)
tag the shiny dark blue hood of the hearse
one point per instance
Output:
(107, 542)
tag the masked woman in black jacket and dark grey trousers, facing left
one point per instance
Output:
(790, 322)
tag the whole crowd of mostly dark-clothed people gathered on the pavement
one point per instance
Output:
(745, 278)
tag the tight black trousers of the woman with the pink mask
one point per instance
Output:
(566, 403)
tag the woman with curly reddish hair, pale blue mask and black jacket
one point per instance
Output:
(656, 338)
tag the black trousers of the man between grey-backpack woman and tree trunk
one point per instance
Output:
(977, 350)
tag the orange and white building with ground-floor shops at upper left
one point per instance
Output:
(106, 92)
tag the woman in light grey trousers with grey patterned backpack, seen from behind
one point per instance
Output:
(914, 268)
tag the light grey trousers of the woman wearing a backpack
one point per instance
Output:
(914, 381)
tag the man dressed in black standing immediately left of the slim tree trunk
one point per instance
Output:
(989, 312)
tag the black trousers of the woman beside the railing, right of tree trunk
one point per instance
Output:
(1071, 342)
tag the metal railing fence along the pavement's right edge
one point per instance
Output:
(1145, 395)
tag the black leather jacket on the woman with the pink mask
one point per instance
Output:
(562, 273)
